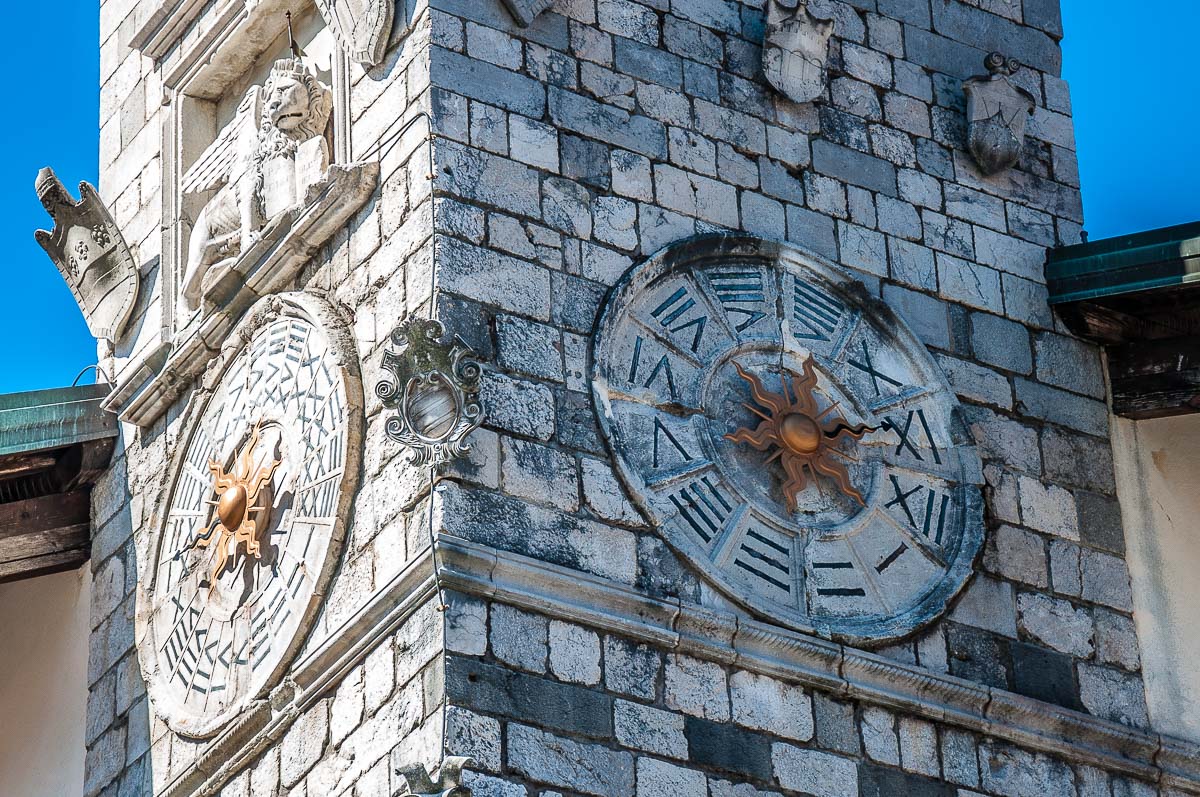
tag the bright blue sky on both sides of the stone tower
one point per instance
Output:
(1133, 87)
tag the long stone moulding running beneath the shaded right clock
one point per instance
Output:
(754, 646)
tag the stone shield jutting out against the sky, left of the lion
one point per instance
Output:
(92, 255)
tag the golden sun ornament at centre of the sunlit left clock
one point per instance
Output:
(237, 501)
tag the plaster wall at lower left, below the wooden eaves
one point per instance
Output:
(44, 676)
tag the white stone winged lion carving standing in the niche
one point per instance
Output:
(262, 164)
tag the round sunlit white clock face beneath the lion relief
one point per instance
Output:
(253, 524)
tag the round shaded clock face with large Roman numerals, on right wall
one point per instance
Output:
(790, 436)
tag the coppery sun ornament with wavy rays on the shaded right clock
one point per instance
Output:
(802, 435)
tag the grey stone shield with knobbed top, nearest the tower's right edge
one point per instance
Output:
(998, 111)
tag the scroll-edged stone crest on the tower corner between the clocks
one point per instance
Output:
(435, 389)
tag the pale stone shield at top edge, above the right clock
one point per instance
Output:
(796, 49)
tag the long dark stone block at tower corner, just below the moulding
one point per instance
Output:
(537, 702)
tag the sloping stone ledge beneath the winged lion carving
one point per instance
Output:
(151, 386)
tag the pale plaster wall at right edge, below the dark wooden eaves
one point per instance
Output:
(1159, 483)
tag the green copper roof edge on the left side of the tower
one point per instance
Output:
(49, 420)
